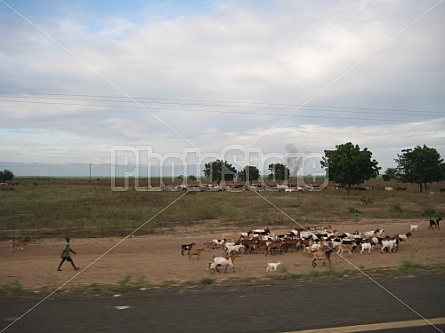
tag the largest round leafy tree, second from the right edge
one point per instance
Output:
(348, 165)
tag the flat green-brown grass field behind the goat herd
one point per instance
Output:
(43, 207)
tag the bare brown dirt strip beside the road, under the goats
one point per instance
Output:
(158, 259)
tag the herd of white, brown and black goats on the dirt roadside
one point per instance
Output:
(316, 243)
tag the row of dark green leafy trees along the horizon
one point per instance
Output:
(347, 165)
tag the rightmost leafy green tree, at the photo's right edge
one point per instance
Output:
(420, 165)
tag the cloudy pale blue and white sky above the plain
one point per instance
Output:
(82, 80)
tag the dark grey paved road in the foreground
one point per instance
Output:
(285, 307)
